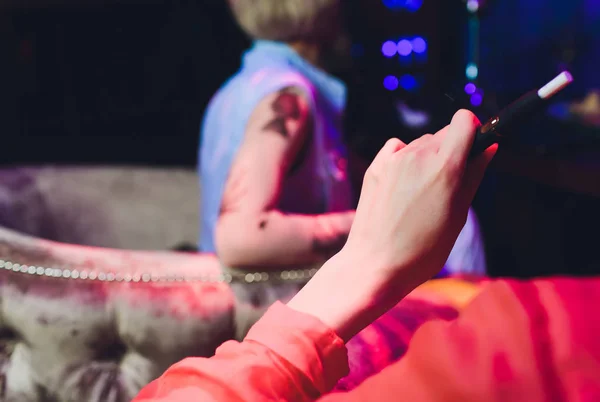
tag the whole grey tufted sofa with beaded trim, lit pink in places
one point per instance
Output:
(87, 323)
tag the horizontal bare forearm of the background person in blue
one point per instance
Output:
(277, 239)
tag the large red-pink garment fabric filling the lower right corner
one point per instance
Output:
(531, 341)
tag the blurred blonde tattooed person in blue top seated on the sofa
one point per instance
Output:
(276, 192)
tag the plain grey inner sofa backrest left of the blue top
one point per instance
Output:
(121, 207)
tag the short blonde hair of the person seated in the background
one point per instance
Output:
(287, 20)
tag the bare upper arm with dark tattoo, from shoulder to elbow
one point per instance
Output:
(275, 133)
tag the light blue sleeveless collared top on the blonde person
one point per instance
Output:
(322, 178)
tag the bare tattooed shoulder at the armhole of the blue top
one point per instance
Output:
(284, 113)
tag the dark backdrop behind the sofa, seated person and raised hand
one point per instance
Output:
(126, 82)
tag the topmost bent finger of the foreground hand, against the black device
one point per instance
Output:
(459, 138)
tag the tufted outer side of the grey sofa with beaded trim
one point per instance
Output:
(102, 339)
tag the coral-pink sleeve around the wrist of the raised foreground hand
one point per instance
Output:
(283, 358)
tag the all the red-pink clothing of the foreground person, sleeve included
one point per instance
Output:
(517, 341)
